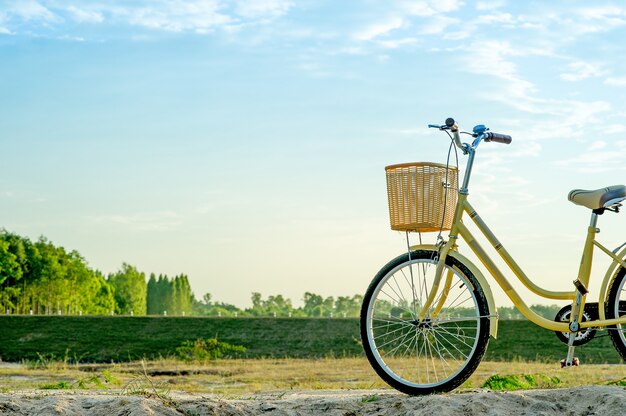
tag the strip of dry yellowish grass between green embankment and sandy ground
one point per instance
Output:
(239, 377)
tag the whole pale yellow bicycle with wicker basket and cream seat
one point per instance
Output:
(427, 315)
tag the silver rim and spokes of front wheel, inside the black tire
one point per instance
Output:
(430, 353)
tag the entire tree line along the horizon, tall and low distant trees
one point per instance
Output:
(43, 279)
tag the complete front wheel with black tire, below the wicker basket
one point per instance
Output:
(433, 356)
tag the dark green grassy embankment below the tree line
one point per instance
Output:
(120, 339)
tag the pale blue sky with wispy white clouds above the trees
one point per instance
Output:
(243, 143)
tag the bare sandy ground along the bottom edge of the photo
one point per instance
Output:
(591, 400)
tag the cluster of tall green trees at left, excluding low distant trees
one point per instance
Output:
(43, 279)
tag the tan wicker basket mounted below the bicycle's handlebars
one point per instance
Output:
(417, 196)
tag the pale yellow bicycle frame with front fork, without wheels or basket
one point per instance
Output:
(582, 282)
